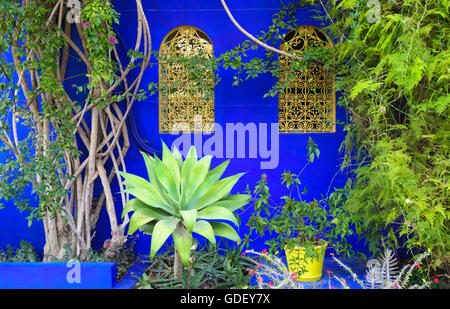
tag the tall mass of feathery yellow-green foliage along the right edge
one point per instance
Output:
(393, 79)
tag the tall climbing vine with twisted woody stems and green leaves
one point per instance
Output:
(61, 149)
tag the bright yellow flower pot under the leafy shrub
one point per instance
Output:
(312, 266)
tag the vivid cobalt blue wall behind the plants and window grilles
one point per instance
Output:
(244, 103)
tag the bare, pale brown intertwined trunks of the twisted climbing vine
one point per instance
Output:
(71, 219)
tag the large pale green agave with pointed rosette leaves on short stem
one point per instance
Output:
(181, 198)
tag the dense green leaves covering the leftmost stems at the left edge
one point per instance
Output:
(24, 28)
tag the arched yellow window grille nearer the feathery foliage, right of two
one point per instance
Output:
(308, 103)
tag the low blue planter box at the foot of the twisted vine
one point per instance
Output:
(71, 275)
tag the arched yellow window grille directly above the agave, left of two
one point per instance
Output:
(181, 101)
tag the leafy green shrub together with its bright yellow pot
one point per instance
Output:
(303, 229)
